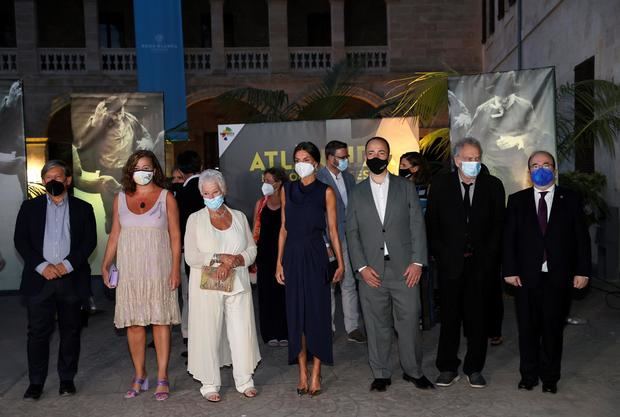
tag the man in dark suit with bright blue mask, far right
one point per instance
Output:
(546, 252)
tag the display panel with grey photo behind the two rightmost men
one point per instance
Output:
(511, 113)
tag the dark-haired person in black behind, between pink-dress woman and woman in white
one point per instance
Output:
(189, 200)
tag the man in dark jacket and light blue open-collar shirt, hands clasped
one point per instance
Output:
(55, 234)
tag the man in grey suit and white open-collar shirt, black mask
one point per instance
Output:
(387, 245)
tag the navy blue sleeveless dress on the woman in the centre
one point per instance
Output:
(305, 263)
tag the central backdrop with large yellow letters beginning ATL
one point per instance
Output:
(246, 150)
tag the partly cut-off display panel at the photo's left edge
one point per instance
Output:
(12, 178)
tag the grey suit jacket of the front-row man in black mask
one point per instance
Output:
(403, 230)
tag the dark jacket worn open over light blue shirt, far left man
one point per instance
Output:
(29, 234)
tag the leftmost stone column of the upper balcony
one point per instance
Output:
(26, 37)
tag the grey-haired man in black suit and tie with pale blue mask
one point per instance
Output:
(464, 220)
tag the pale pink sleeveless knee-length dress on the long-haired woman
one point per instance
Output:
(144, 261)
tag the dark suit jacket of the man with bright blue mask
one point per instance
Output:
(566, 242)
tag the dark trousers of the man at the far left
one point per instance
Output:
(58, 299)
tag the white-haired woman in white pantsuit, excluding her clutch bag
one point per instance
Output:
(221, 325)
